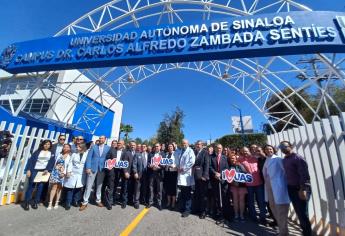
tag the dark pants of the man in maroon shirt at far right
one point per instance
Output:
(301, 209)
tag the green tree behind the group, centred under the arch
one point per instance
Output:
(170, 129)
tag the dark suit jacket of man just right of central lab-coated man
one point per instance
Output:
(202, 165)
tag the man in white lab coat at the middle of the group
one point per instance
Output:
(185, 178)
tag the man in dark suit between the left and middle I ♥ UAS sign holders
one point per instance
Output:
(140, 176)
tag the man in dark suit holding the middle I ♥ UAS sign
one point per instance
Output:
(156, 175)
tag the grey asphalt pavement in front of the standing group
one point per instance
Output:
(101, 222)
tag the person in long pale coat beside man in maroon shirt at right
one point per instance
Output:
(276, 193)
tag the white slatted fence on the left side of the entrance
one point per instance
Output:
(12, 176)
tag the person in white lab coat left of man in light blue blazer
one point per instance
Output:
(75, 176)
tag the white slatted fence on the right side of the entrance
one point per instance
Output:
(323, 146)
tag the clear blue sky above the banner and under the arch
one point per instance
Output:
(206, 102)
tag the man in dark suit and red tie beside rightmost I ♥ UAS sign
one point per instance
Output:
(219, 187)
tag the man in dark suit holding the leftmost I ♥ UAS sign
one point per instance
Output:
(114, 175)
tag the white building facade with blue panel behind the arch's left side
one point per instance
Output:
(65, 96)
